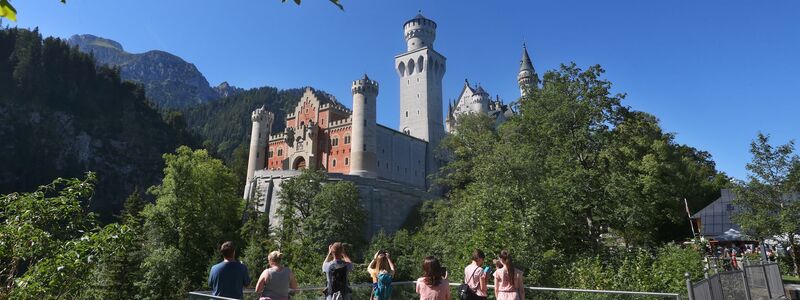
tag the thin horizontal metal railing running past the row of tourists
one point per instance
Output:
(405, 290)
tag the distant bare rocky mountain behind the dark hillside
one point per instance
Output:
(169, 81)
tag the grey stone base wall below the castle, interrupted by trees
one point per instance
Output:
(388, 203)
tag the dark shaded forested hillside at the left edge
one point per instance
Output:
(61, 115)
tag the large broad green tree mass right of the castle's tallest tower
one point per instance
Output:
(575, 172)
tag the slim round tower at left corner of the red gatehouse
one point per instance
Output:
(262, 126)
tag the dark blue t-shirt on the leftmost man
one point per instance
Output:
(228, 278)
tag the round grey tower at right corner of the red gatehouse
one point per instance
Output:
(363, 148)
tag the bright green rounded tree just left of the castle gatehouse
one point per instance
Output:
(197, 208)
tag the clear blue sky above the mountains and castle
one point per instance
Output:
(715, 72)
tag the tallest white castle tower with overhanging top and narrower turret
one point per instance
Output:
(421, 70)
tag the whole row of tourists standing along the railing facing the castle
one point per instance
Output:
(229, 277)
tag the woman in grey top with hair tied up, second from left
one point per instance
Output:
(275, 281)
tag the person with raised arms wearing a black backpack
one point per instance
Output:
(336, 267)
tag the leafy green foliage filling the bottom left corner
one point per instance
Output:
(51, 247)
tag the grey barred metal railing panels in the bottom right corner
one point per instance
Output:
(749, 282)
